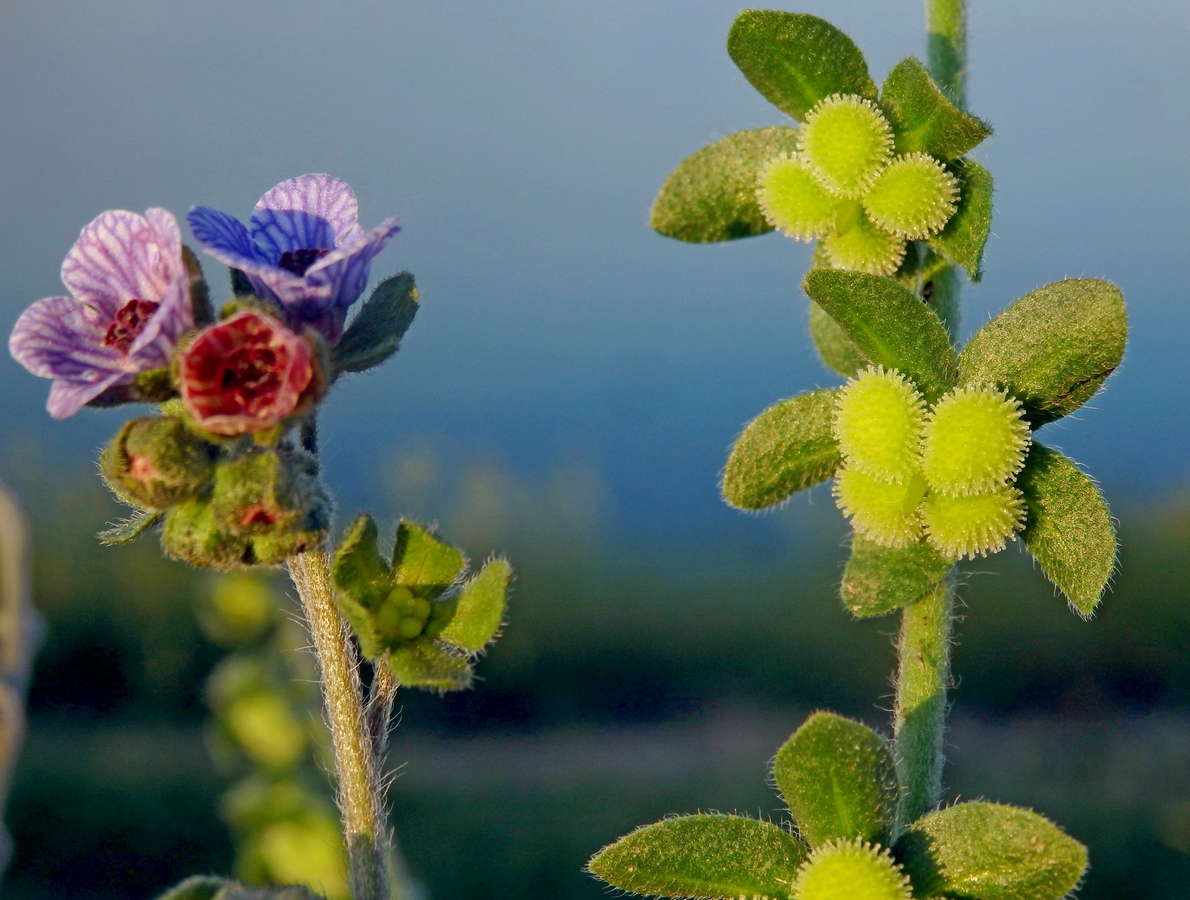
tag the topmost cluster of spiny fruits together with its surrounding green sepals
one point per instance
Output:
(867, 172)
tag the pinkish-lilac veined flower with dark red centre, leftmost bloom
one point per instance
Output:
(130, 305)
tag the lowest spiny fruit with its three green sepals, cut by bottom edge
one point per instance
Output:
(844, 840)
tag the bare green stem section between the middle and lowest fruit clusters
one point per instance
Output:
(920, 717)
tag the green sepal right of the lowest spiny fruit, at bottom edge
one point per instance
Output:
(989, 852)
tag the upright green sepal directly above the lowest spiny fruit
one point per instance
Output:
(840, 782)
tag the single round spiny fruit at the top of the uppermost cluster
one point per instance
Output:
(847, 141)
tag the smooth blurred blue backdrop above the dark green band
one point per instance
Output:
(522, 145)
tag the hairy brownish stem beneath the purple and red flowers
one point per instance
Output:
(361, 793)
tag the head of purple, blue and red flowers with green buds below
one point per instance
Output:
(220, 462)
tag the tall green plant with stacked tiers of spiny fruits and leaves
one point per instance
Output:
(932, 451)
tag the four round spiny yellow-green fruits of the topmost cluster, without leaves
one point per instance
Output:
(845, 187)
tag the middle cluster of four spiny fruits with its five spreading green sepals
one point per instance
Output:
(932, 452)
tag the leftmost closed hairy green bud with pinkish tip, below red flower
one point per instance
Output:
(155, 462)
